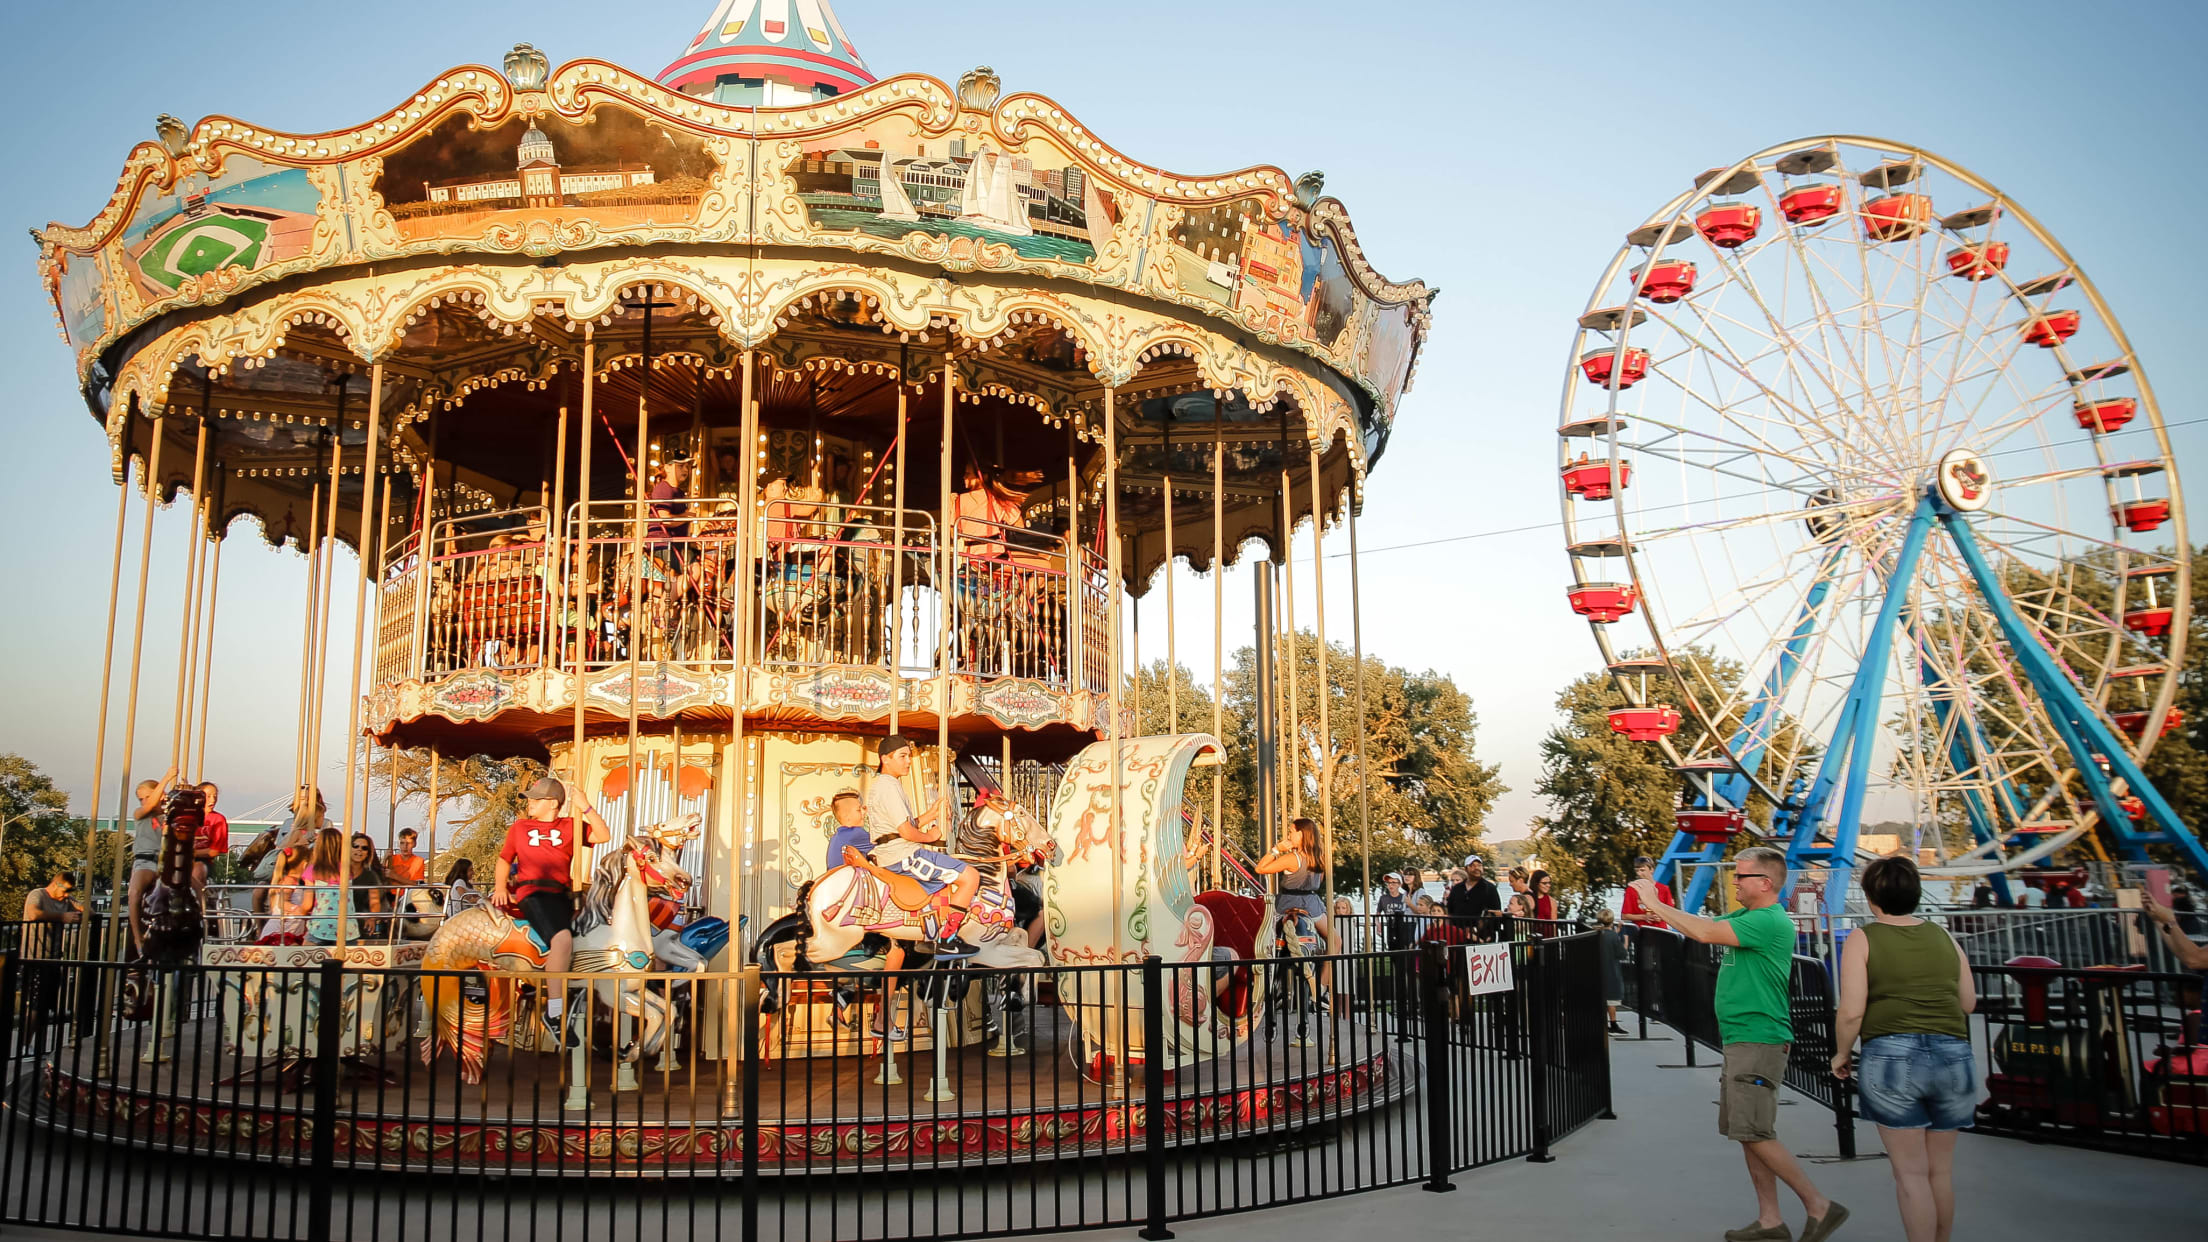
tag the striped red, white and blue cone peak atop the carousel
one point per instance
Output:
(796, 43)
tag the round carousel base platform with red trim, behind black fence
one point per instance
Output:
(535, 1115)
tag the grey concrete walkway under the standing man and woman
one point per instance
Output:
(1662, 1175)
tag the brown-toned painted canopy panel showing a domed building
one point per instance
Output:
(617, 169)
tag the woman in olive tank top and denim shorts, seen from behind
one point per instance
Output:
(1907, 989)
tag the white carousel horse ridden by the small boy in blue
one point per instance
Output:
(862, 903)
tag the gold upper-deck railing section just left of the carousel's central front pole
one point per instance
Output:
(688, 607)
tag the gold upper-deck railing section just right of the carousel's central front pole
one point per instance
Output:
(831, 589)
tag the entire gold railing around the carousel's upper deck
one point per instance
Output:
(834, 587)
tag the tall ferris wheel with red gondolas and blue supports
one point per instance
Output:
(1876, 520)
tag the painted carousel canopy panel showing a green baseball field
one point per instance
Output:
(248, 215)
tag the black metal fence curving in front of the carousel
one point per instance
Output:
(215, 1102)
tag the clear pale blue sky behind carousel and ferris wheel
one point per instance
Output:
(1496, 151)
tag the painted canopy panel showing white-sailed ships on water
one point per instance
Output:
(889, 180)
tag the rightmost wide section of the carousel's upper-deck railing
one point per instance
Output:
(1012, 609)
